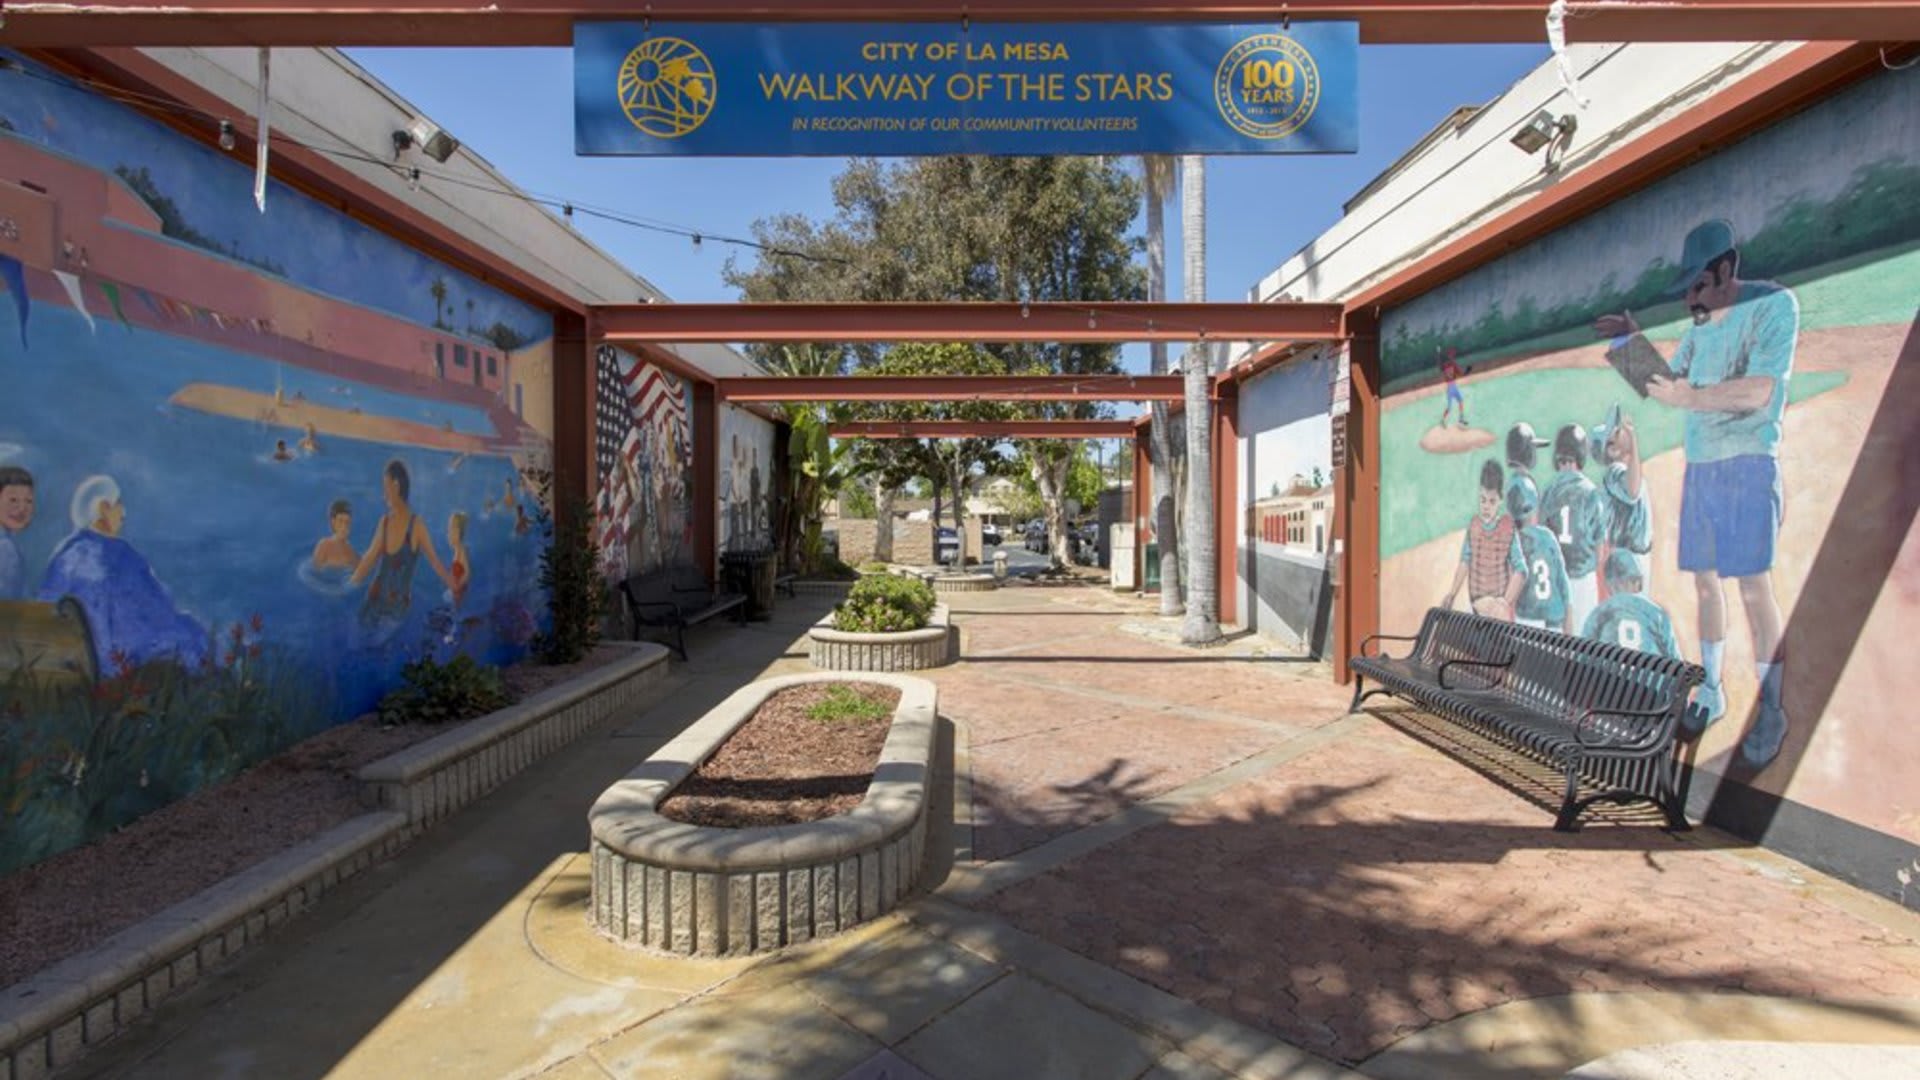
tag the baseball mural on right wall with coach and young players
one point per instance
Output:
(1679, 426)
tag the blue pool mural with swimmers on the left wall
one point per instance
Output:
(249, 466)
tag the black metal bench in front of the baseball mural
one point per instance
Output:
(1596, 712)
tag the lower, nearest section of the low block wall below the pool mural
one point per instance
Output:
(55, 1018)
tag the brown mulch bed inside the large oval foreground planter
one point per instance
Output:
(784, 768)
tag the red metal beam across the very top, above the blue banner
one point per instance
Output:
(550, 22)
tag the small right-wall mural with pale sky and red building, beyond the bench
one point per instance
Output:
(1287, 503)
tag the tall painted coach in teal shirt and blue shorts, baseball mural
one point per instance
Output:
(1731, 378)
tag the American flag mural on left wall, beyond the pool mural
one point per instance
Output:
(642, 447)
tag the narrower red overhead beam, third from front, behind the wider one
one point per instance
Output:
(953, 389)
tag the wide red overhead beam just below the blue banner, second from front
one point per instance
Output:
(967, 322)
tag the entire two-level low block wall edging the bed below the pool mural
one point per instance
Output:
(53, 1019)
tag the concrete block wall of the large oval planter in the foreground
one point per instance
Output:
(700, 891)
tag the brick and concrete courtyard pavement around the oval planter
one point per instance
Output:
(1159, 862)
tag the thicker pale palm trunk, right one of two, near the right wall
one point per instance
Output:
(1203, 570)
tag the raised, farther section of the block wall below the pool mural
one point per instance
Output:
(433, 779)
